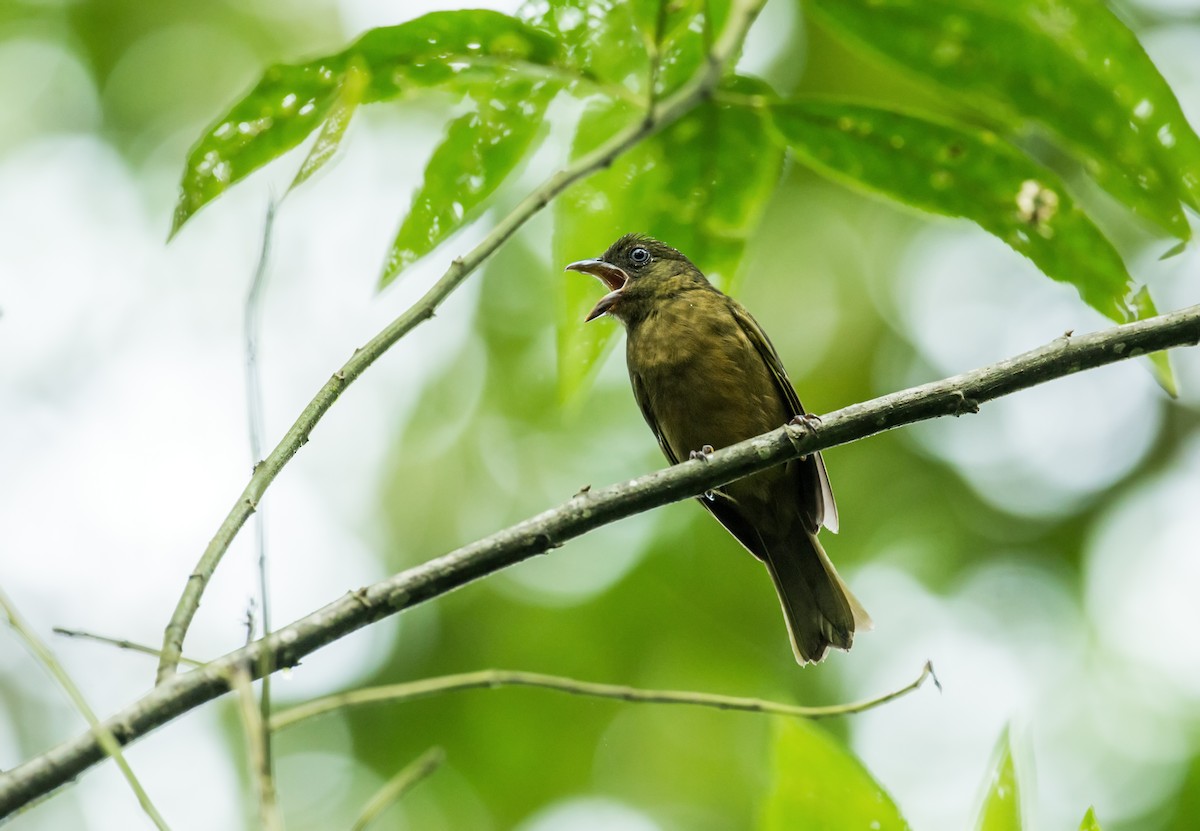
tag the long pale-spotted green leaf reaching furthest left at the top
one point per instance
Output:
(443, 50)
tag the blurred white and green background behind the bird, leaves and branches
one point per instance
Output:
(1043, 554)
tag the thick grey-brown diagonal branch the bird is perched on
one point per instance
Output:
(586, 512)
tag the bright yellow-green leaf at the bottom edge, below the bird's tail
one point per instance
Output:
(819, 786)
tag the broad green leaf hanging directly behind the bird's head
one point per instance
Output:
(701, 187)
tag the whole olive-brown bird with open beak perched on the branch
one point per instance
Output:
(706, 376)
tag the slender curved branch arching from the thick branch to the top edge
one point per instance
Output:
(659, 116)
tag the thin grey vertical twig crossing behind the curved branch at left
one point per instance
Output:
(253, 325)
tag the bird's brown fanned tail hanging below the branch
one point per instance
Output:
(820, 611)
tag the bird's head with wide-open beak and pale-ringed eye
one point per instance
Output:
(639, 273)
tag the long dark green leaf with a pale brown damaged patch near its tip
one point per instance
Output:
(959, 171)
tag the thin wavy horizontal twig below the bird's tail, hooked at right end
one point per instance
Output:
(493, 679)
